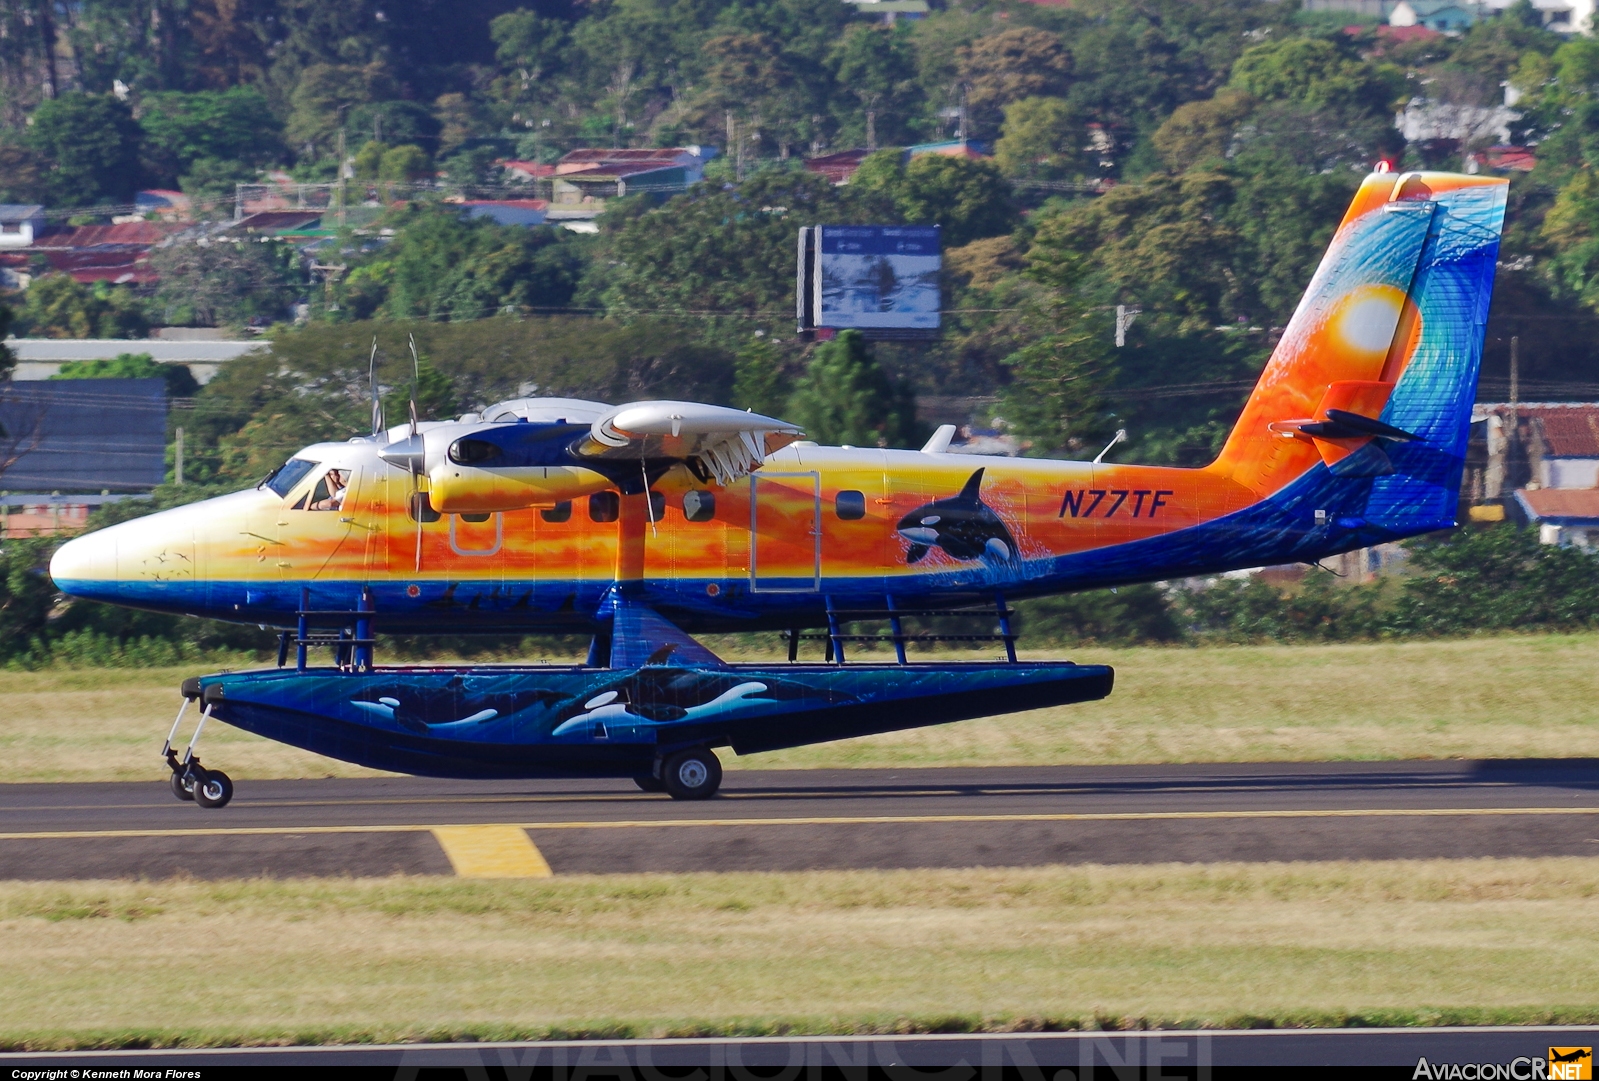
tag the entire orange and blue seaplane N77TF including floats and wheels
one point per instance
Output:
(647, 524)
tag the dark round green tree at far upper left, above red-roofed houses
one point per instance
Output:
(92, 146)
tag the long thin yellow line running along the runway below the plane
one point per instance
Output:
(898, 820)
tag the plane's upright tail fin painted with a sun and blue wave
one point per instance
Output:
(1389, 337)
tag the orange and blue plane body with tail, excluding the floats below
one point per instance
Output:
(1355, 436)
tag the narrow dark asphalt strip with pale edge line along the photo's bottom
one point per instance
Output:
(1214, 1056)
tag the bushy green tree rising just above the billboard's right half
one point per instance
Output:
(967, 199)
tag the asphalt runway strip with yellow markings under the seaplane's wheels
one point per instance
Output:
(810, 820)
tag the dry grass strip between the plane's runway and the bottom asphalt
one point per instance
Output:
(289, 962)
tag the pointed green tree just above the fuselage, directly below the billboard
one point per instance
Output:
(847, 399)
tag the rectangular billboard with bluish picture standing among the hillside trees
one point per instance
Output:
(872, 277)
